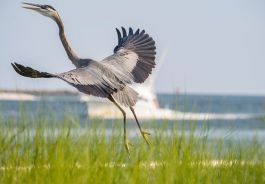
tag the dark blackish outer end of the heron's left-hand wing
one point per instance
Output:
(30, 72)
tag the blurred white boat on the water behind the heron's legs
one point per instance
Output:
(147, 107)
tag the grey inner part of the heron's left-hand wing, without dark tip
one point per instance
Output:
(88, 80)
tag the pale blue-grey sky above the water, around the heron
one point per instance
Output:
(214, 47)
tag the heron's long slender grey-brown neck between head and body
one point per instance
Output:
(71, 54)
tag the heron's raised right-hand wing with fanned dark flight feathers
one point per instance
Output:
(134, 56)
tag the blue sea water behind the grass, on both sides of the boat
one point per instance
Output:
(57, 107)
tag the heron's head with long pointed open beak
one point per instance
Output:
(45, 10)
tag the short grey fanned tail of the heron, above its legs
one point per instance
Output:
(127, 96)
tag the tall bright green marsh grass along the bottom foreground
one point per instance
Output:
(63, 152)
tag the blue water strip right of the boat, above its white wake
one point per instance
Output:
(214, 103)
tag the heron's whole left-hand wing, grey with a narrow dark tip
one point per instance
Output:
(88, 80)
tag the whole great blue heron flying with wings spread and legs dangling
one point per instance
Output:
(132, 61)
